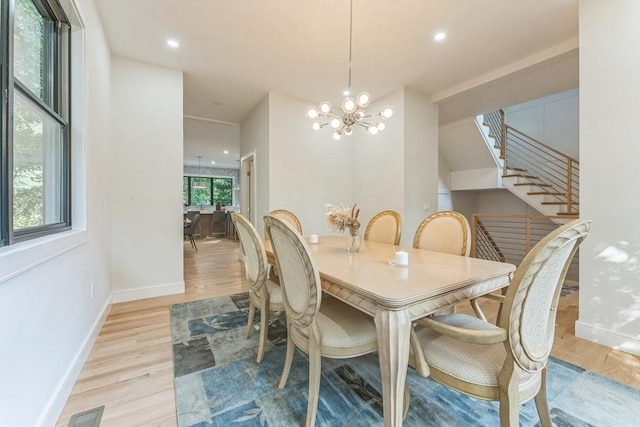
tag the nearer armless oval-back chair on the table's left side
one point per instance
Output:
(320, 327)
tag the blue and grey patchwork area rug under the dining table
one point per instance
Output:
(219, 383)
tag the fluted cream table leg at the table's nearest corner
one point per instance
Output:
(393, 328)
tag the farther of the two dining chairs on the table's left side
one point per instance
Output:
(264, 294)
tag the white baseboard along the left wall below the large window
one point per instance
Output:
(60, 397)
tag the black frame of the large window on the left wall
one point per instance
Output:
(55, 105)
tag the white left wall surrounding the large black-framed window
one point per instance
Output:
(48, 318)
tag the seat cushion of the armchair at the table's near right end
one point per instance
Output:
(474, 363)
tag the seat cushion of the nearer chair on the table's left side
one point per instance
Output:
(346, 332)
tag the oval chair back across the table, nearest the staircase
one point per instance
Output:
(447, 231)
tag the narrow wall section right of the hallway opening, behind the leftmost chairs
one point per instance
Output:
(254, 138)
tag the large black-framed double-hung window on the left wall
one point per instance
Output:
(35, 151)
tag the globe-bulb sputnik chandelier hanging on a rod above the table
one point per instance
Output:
(352, 113)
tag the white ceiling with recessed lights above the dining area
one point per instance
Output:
(233, 52)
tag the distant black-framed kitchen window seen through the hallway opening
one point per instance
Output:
(203, 191)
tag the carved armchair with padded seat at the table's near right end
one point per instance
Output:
(507, 362)
